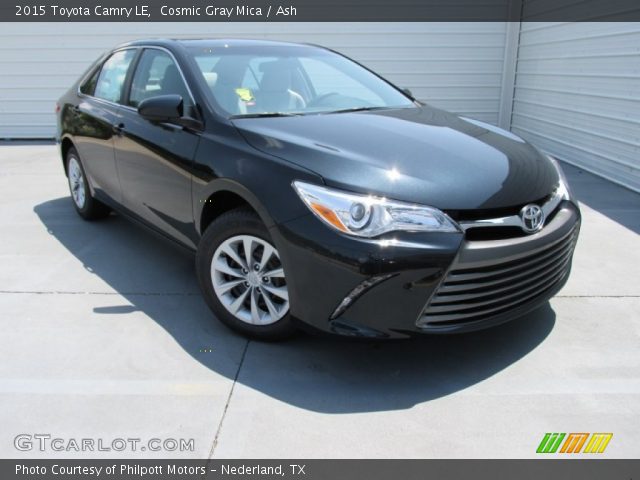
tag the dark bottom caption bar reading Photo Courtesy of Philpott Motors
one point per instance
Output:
(546, 469)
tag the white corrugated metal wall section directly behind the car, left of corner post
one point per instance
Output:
(456, 66)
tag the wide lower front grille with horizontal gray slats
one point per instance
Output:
(471, 294)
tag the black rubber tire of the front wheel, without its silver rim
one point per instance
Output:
(242, 221)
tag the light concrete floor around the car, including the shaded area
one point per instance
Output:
(105, 335)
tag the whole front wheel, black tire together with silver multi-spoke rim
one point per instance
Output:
(250, 297)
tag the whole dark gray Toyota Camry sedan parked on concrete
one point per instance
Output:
(315, 192)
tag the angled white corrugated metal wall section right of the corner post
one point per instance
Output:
(577, 95)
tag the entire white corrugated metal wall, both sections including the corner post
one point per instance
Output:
(575, 92)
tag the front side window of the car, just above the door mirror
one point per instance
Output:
(158, 74)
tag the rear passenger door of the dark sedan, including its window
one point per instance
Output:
(94, 117)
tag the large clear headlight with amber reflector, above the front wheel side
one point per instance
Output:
(368, 216)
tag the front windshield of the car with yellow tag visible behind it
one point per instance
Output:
(290, 80)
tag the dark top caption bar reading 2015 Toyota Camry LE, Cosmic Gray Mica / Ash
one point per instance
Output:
(319, 10)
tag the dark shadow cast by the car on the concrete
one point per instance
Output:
(322, 374)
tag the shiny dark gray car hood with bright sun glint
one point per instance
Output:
(422, 155)
